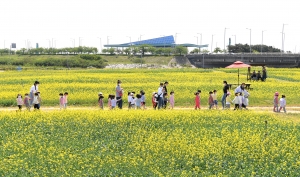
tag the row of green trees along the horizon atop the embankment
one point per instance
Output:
(142, 50)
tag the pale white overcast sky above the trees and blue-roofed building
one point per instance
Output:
(98, 22)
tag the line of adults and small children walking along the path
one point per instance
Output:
(160, 99)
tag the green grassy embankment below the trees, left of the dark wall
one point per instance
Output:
(10, 62)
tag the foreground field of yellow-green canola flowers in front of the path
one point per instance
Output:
(152, 143)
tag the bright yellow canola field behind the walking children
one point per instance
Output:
(84, 85)
